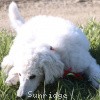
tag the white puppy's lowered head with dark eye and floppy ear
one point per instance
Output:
(45, 65)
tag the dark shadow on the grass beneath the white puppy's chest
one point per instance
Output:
(68, 88)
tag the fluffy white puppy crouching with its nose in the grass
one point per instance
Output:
(44, 47)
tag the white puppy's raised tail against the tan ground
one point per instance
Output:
(15, 17)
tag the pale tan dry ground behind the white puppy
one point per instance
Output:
(78, 11)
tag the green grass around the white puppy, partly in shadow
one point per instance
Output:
(63, 89)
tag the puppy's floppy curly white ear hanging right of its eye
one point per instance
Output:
(52, 68)
